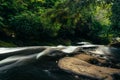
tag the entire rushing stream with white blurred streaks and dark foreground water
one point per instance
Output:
(40, 62)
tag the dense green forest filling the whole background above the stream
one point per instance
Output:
(53, 22)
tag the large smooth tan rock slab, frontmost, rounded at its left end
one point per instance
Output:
(80, 67)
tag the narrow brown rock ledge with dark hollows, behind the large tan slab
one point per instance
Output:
(97, 60)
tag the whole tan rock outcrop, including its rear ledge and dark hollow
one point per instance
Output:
(86, 65)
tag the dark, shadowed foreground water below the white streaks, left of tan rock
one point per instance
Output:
(45, 69)
